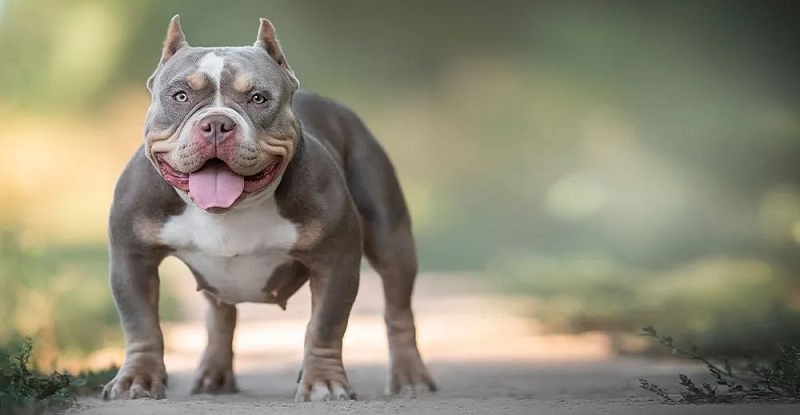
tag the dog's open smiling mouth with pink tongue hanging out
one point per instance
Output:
(215, 185)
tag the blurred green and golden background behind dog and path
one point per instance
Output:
(608, 164)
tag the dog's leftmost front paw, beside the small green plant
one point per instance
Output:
(138, 378)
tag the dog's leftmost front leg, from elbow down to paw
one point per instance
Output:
(135, 287)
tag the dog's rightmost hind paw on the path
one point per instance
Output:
(408, 376)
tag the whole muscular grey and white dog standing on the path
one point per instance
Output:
(258, 188)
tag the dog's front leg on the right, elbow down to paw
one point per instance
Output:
(333, 291)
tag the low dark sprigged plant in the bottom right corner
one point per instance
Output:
(733, 381)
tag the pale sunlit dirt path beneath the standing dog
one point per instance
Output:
(485, 358)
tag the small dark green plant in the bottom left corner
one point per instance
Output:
(26, 390)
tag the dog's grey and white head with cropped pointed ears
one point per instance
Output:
(220, 125)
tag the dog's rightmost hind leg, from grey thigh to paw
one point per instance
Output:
(390, 249)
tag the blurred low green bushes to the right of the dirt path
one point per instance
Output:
(695, 301)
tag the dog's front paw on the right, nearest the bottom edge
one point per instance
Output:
(322, 383)
